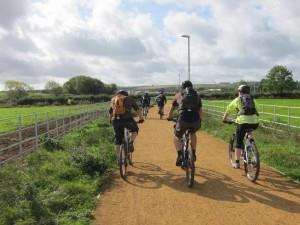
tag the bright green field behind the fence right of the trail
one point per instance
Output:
(274, 110)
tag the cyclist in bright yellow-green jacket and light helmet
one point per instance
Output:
(247, 118)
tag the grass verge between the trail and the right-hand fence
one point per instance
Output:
(276, 151)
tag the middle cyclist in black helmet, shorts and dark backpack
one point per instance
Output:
(190, 109)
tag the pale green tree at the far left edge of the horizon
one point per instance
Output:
(16, 90)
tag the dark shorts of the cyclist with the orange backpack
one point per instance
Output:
(119, 125)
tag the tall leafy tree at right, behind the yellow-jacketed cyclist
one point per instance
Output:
(278, 80)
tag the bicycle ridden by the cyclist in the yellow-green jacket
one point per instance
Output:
(249, 155)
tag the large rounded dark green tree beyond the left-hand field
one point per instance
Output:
(84, 85)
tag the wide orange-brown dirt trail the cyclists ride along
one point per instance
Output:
(155, 192)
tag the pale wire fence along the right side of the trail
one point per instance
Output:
(272, 116)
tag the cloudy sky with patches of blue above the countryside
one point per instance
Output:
(138, 42)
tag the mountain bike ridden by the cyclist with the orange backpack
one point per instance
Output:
(125, 155)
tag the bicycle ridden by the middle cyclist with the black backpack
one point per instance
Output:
(188, 162)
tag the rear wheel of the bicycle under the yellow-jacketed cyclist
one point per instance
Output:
(251, 162)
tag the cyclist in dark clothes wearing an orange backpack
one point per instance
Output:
(120, 116)
